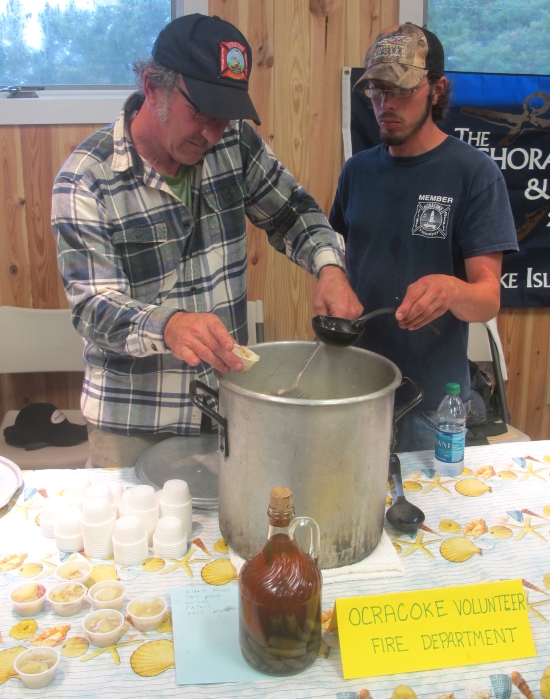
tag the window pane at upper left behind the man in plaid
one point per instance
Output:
(76, 42)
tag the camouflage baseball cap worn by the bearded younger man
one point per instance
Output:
(402, 55)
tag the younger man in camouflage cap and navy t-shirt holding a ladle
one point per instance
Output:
(426, 219)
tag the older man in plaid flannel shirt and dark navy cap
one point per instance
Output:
(149, 216)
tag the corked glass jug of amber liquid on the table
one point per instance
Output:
(280, 595)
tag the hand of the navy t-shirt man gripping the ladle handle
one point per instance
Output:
(426, 299)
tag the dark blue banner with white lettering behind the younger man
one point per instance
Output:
(507, 117)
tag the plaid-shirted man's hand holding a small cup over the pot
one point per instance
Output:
(195, 336)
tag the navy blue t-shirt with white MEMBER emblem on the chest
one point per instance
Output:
(405, 218)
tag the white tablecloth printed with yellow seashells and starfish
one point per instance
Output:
(490, 523)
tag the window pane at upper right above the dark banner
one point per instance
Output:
(493, 36)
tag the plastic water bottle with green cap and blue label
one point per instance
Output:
(451, 433)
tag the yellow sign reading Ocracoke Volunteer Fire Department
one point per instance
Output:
(432, 629)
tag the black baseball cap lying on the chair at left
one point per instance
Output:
(40, 425)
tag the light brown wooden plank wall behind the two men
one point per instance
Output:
(299, 48)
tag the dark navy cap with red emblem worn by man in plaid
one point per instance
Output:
(214, 59)
